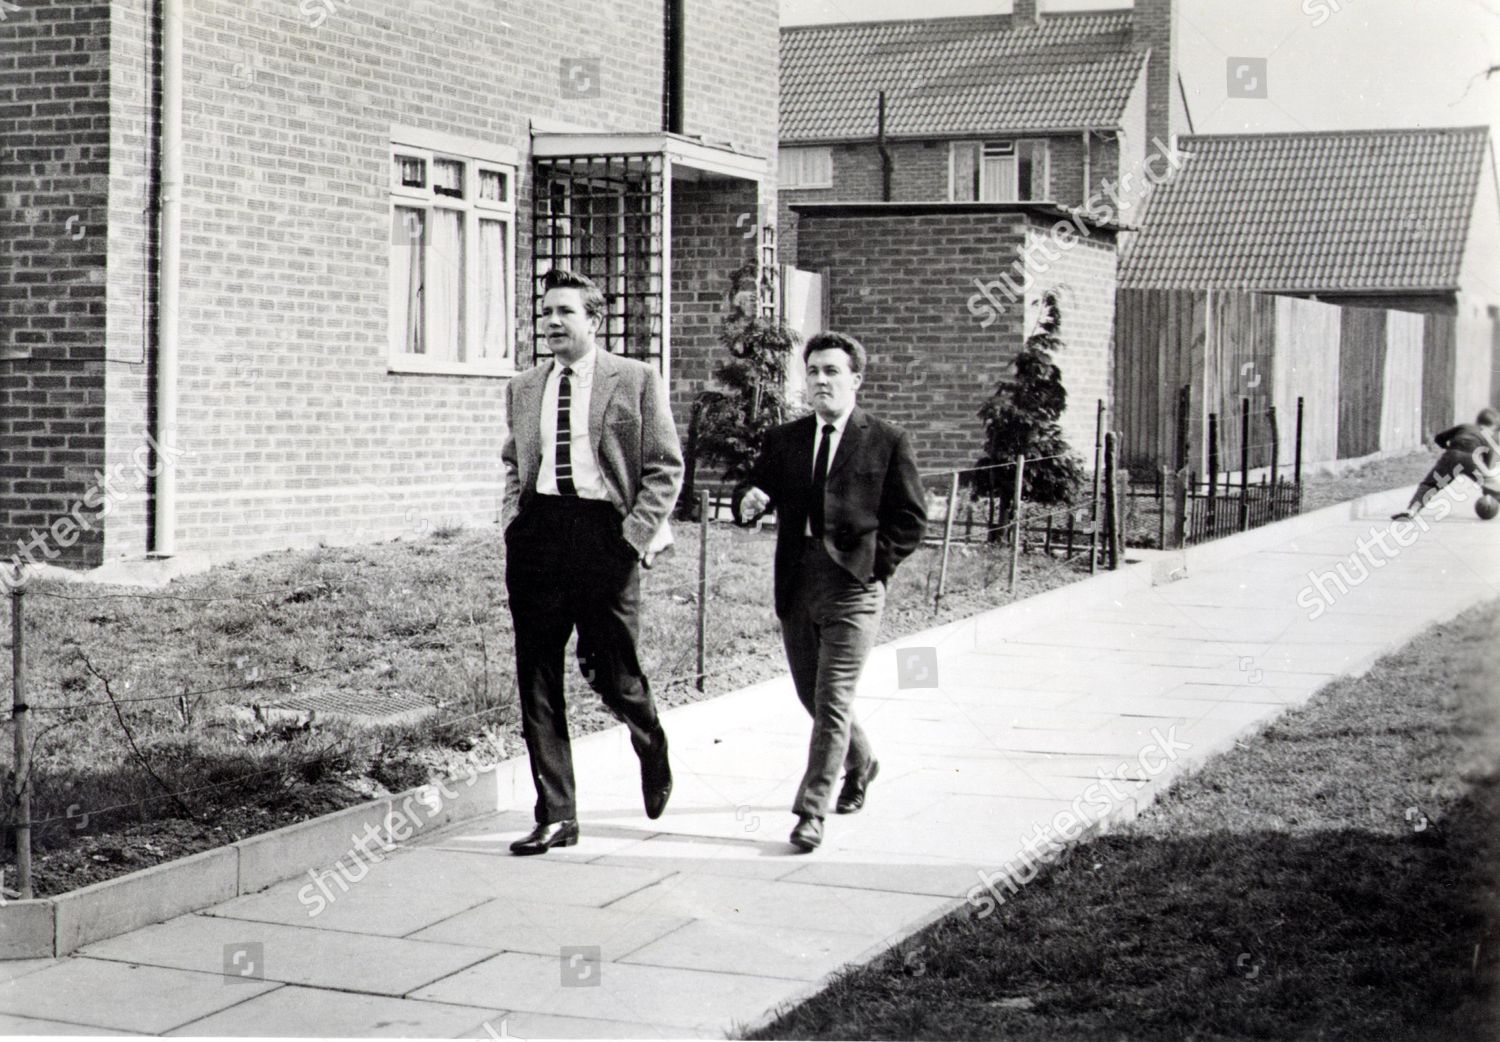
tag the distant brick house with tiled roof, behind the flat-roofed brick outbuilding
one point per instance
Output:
(1031, 107)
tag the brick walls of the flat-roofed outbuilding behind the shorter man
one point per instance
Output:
(905, 286)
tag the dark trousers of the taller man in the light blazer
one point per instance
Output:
(569, 567)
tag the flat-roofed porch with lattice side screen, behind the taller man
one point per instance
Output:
(602, 206)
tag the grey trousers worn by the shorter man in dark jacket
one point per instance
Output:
(829, 633)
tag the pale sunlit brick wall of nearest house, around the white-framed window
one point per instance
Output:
(292, 430)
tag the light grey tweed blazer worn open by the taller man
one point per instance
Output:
(635, 443)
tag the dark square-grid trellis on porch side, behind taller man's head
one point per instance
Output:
(605, 217)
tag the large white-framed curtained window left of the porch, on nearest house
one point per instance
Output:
(452, 262)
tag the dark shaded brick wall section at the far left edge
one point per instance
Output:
(53, 193)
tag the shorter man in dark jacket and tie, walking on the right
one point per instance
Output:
(850, 509)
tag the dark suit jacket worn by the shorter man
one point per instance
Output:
(875, 511)
